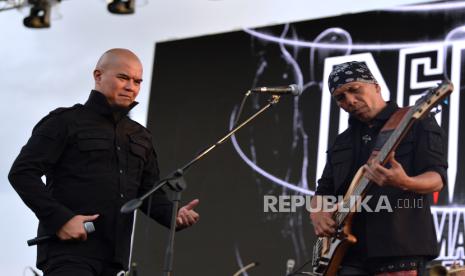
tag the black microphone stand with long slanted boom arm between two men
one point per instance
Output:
(177, 184)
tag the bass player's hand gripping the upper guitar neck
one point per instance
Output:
(394, 176)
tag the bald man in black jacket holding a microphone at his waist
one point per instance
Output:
(95, 159)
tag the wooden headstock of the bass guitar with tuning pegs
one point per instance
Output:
(432, 97)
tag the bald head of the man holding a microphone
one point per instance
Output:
(118, 75)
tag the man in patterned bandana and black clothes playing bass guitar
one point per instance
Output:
(398, 242)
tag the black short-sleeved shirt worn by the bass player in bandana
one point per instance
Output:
(405, 231)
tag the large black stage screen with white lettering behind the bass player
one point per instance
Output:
(198, 84)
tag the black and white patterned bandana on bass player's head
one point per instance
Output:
(348, 72)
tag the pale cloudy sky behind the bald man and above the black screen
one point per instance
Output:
(44, 69)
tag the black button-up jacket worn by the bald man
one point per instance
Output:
(95, 159)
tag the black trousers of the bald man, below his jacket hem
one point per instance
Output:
(80, 266)
